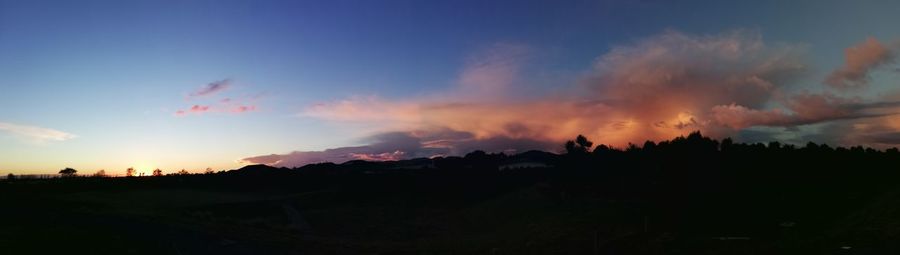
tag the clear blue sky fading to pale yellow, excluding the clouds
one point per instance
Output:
(113, 74)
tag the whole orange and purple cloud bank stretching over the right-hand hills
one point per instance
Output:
(651, 89)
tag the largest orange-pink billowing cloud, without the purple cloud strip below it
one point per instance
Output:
(656, 88)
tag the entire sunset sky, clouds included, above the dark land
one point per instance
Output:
(194, 84)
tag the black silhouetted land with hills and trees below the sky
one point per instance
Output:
(674, 198)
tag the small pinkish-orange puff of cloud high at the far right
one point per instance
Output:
(859, 61)
